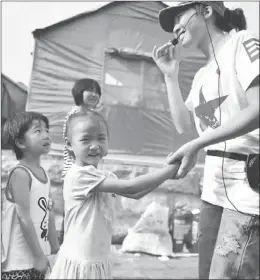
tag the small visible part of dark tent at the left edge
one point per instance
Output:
(13, 97)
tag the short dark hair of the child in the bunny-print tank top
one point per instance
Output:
(16, 126)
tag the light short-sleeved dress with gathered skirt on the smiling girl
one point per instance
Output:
(85, 252)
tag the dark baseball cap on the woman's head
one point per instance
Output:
(167, 15)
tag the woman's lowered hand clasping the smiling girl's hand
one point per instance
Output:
(188, 155)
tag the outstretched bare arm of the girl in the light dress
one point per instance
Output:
(139, 186)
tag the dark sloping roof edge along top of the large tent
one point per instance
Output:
(37, 32)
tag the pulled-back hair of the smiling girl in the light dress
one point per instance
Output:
(89, 115)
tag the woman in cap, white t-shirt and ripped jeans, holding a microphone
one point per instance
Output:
(224, 104)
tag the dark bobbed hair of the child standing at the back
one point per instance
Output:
(84, 85)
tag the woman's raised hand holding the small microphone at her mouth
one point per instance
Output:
(167, 59)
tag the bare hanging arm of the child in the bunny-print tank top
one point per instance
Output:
(21, 194)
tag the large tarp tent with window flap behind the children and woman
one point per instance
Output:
(113, 45)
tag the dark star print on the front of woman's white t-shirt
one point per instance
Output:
(206, 109)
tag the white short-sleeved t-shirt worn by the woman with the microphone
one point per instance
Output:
(239, 66)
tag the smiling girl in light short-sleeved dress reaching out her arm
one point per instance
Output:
(88, 200)
